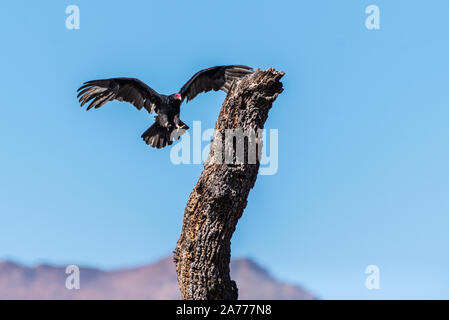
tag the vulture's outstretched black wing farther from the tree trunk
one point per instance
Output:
(121, 89)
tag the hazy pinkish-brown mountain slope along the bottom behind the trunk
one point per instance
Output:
(154, 281)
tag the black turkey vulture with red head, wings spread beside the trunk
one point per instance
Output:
(167, 107)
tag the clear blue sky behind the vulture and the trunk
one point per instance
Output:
(363, 135)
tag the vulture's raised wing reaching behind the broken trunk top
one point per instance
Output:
(215, 78)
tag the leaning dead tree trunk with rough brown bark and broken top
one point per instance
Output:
(202, 254)
